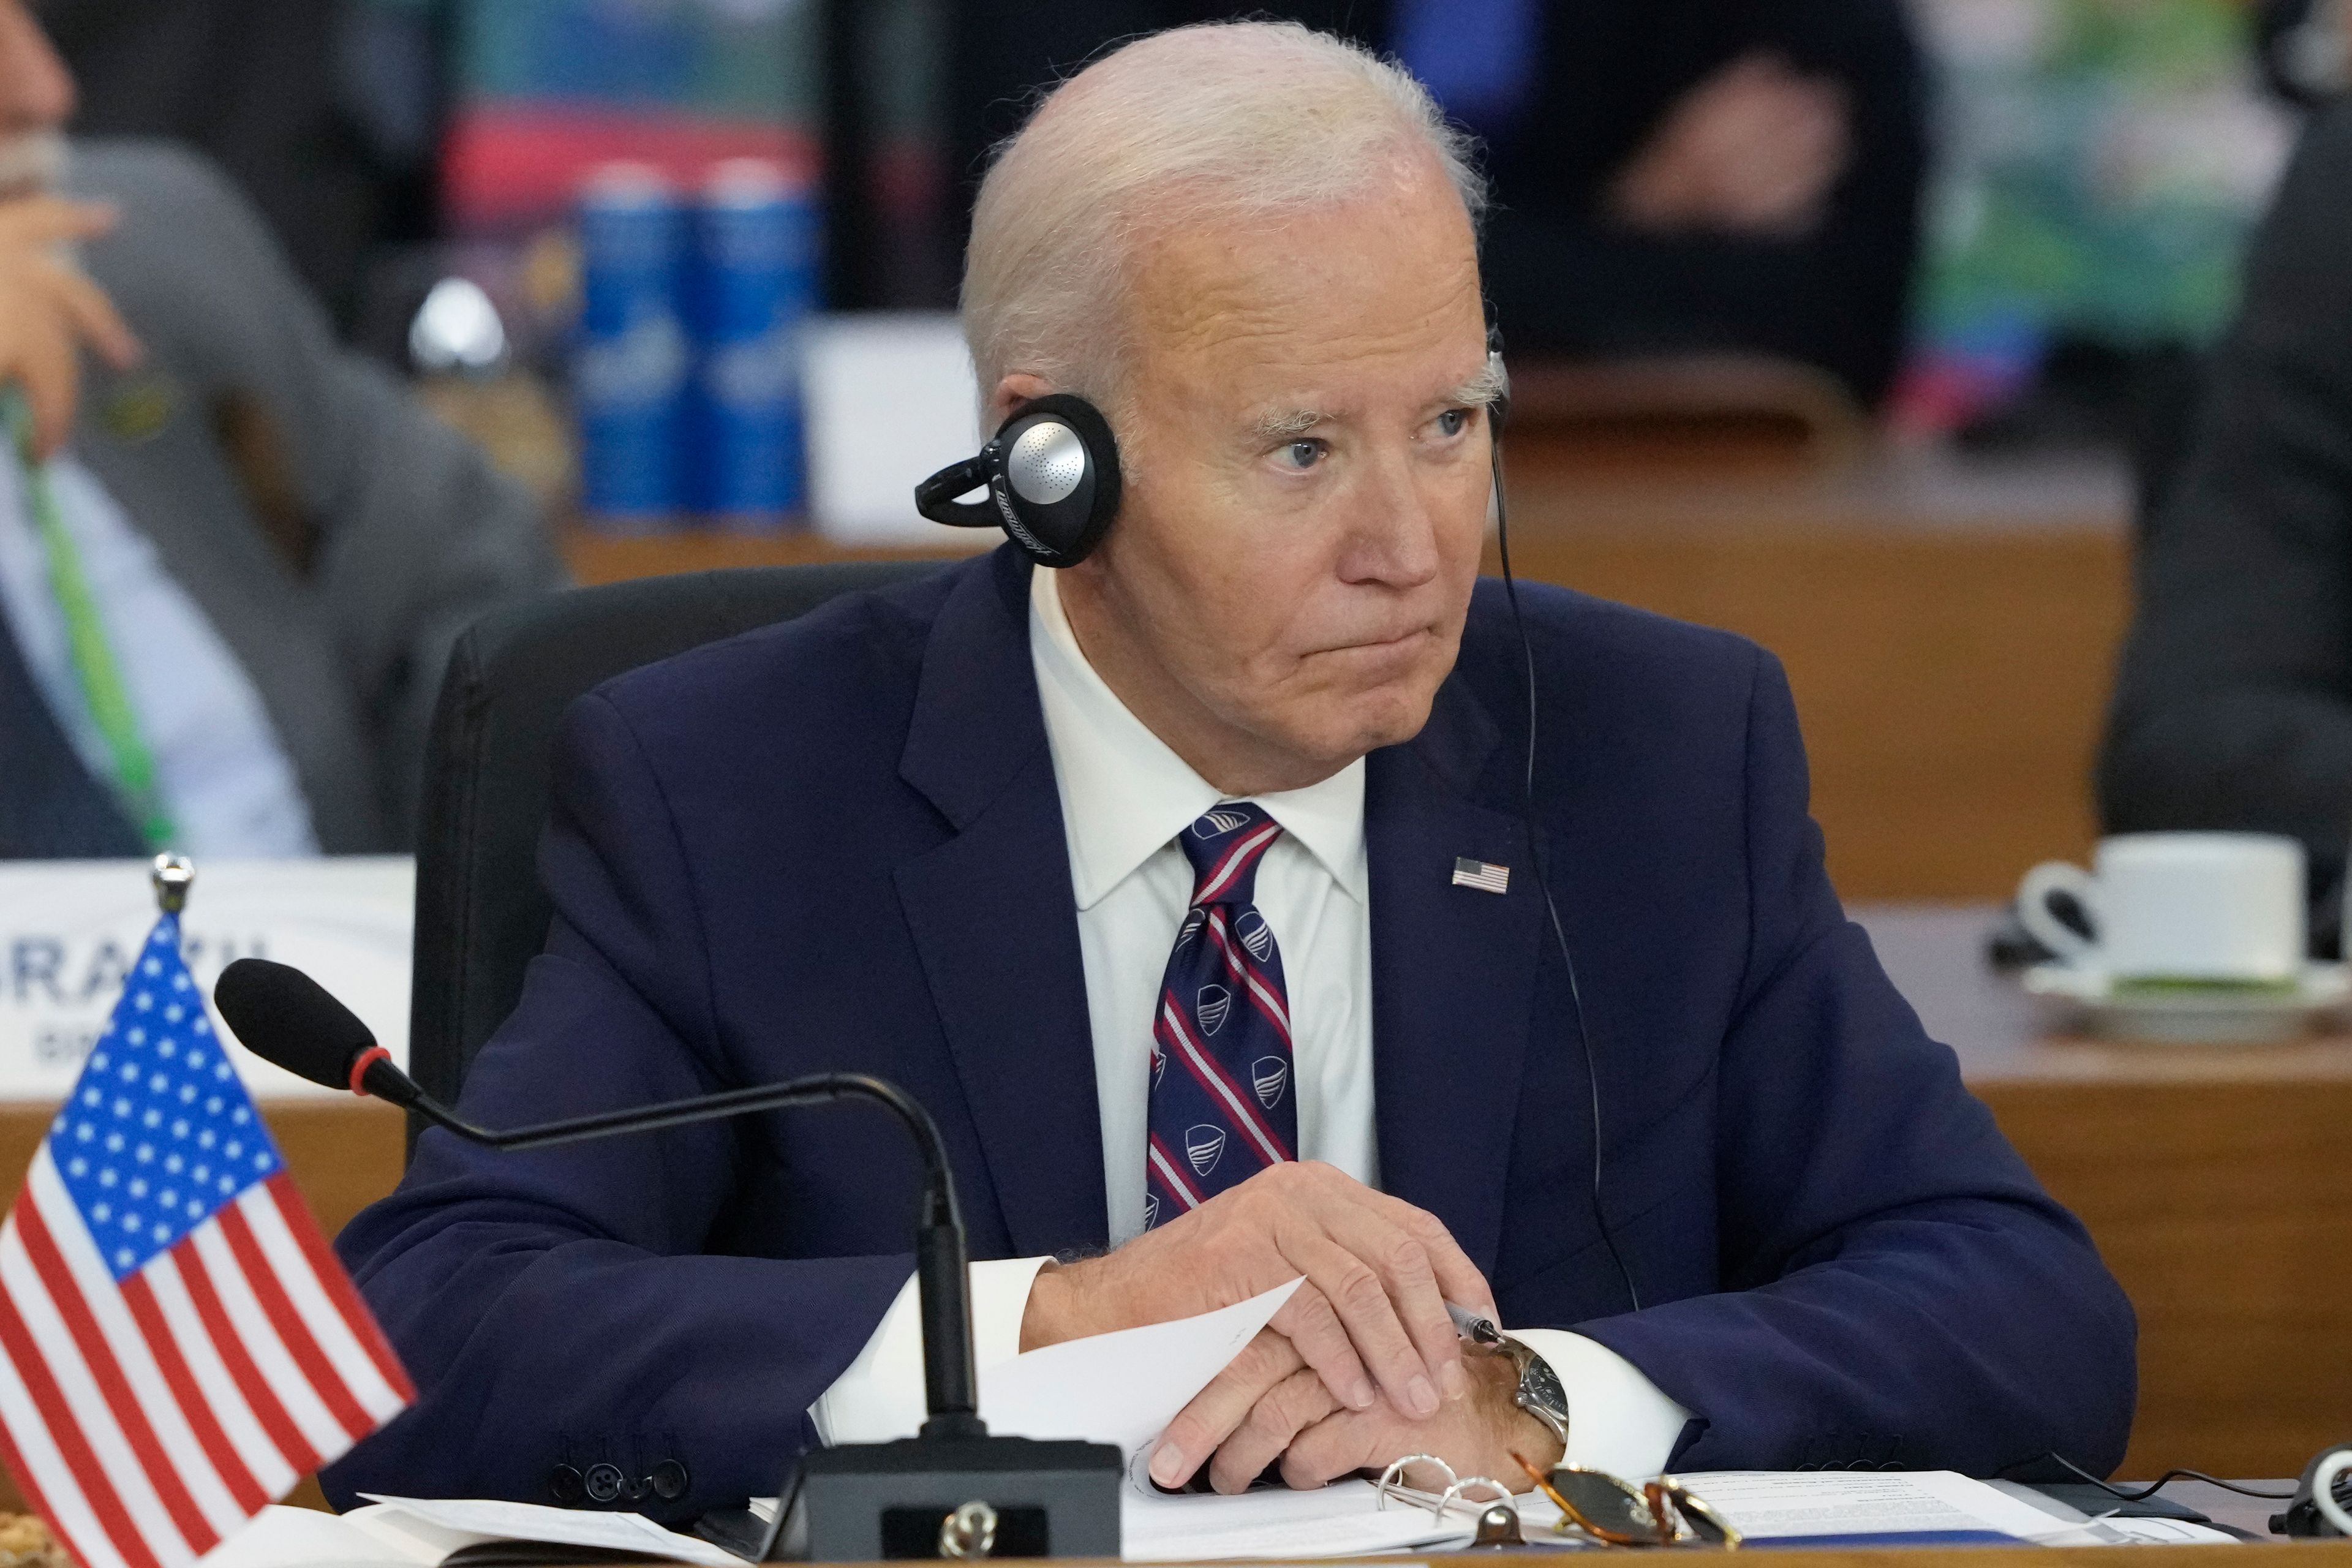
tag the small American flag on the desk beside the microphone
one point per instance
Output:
(178, 1346)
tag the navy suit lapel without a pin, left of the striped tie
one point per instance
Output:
(994, 916)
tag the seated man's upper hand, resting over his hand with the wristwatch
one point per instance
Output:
(1370, 1318)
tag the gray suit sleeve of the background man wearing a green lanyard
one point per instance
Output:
(413, 532)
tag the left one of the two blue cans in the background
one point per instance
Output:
(632, 359)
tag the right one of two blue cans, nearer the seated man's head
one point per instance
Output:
(754, 288)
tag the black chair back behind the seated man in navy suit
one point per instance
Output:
(481, 911)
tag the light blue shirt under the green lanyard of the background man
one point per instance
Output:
(220, 768)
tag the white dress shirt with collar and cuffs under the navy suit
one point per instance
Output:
(1125, 798)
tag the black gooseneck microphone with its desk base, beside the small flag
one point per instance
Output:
(853, 1503)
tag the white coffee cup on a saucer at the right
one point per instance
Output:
(2179, 906)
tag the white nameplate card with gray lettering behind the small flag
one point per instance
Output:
(69, 932)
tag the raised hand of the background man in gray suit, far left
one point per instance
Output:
(51, 311)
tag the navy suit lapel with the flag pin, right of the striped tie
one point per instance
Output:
(1455, 972)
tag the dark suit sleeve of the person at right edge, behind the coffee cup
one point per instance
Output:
(2236, 692)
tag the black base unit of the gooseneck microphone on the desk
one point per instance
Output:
(867, 1503)
